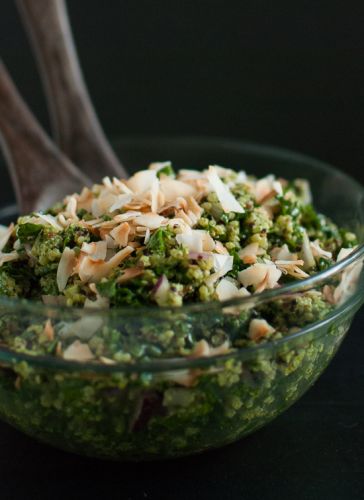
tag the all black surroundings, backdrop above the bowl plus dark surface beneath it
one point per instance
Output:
(283, 73)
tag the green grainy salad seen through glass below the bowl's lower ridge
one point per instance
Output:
(138, 416)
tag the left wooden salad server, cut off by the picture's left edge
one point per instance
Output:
(41, 174)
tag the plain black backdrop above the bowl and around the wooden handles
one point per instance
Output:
(278, 72)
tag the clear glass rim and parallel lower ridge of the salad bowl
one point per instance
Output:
(158, 365)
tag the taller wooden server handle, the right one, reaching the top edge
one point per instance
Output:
(75, 124)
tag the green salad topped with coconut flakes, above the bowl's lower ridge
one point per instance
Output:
(168, 239)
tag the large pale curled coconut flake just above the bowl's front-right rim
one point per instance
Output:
(260, 276)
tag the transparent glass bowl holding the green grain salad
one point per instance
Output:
(171, 407)
